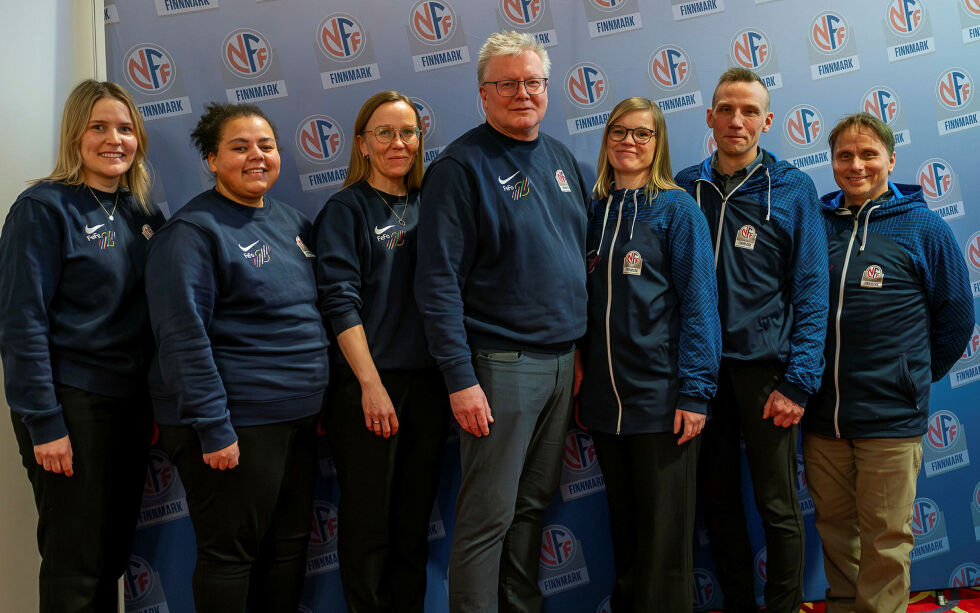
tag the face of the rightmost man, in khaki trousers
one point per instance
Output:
(861, 165)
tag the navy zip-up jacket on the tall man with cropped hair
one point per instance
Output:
(771, 262)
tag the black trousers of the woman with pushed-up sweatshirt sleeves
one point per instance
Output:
(387, 488)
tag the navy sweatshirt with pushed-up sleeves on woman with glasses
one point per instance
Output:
(365, 270)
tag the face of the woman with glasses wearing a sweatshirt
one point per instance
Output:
(390, 162)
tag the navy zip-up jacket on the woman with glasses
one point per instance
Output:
(654, 339)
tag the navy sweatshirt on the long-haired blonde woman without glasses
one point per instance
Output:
(72, 308)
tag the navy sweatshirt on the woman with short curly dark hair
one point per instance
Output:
(232, 295)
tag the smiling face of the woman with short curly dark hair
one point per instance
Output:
(247, 162)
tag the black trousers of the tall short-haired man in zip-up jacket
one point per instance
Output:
(771, 451)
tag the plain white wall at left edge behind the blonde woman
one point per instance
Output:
(47, 46)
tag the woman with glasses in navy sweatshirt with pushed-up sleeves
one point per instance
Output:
(387, 415)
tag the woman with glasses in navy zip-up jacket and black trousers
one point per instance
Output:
(651, 356)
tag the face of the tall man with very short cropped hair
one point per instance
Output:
(737, 118)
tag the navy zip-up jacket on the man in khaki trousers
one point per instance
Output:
(901, 314)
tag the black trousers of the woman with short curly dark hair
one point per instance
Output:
(252, 522)
